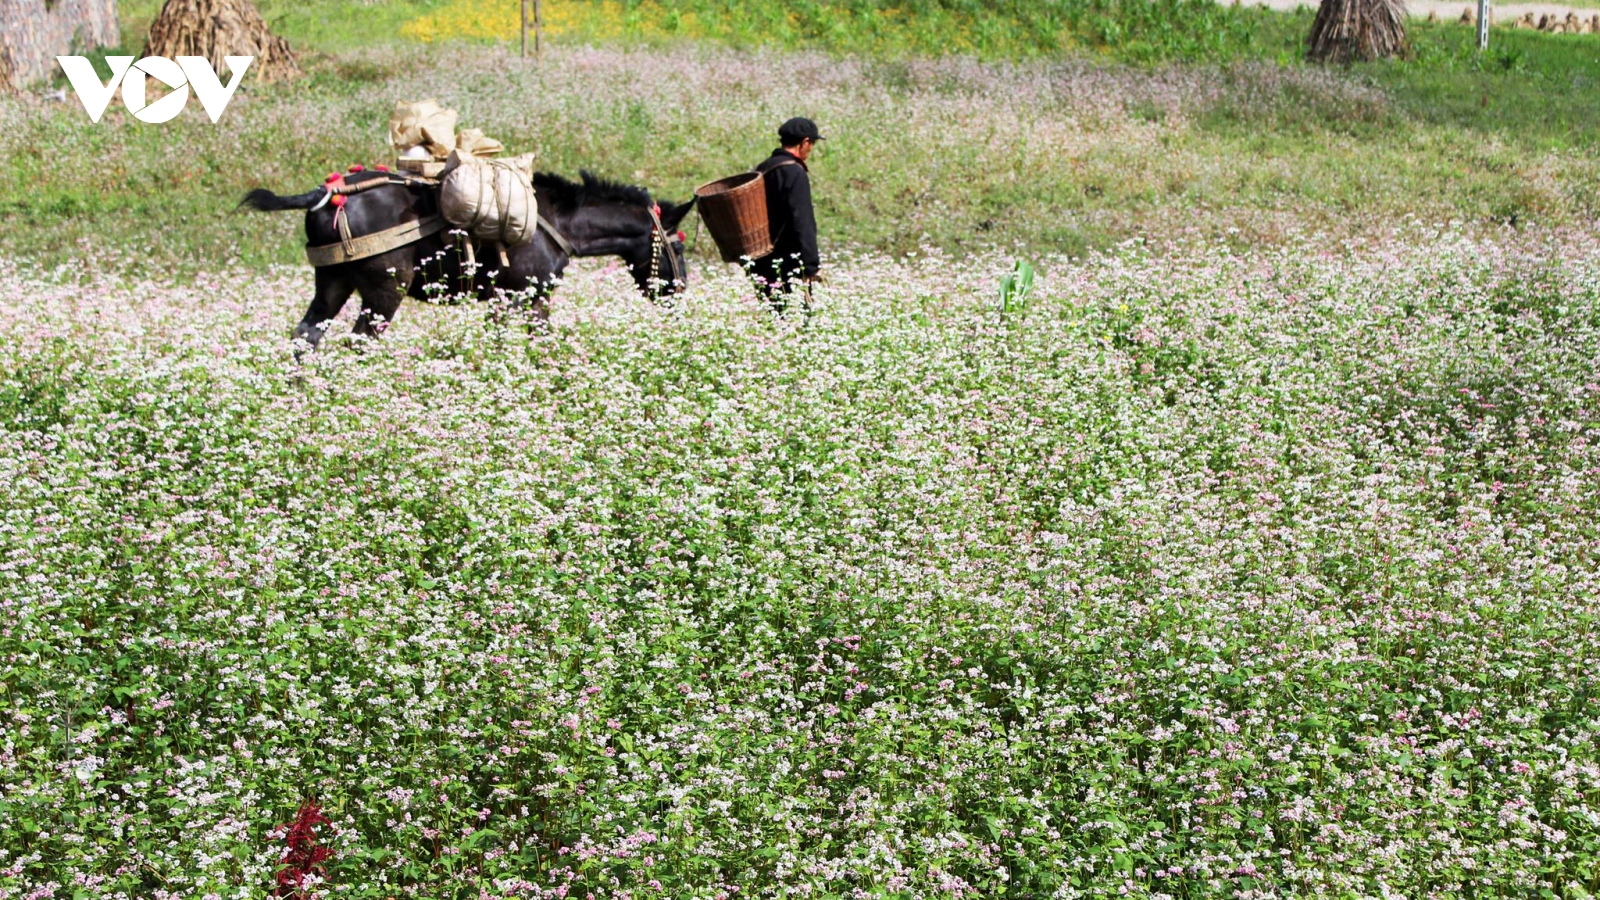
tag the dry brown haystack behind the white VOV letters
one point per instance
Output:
(217, 30)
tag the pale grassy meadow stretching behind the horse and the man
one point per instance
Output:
(1258, 147)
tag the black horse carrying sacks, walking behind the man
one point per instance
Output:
(593, 219)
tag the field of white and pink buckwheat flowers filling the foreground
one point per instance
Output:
(1204, 574)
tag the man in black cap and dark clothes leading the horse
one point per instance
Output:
(794, 260)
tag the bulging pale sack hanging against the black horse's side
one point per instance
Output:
(490, 199)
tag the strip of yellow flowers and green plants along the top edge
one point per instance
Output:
(1142, 30)
